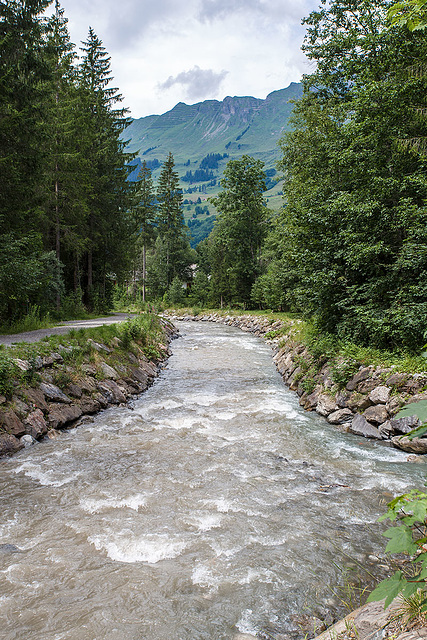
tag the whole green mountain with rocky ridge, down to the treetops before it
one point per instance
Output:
(203, 137)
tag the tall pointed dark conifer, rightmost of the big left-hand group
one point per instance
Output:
(110, 193)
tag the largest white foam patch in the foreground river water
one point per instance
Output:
(126, 547)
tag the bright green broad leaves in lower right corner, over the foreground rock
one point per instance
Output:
(408, 536)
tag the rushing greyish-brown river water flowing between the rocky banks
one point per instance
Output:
(214, 508)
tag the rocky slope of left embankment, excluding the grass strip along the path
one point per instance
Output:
(63, 392)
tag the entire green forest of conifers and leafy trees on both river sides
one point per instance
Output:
(348, 248)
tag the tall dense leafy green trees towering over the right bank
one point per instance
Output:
(351, 241)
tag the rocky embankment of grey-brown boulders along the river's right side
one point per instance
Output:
(363, 400)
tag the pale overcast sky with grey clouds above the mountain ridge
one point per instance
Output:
(168, 51)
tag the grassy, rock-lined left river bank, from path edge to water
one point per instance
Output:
(46, 391)
